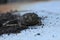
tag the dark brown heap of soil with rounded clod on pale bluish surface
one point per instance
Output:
(14, 24)
